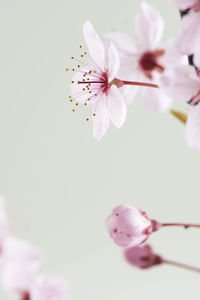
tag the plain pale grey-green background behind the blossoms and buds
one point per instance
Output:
(60, 183)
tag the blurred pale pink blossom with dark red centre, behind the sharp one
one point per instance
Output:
(147, 58)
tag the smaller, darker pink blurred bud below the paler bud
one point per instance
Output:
(142, 256)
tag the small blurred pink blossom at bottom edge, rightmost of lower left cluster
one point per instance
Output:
(49, 288)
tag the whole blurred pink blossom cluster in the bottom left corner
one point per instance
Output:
(20, 263)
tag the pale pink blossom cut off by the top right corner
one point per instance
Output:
(188, 36)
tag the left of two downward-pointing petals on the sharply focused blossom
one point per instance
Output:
(101, 119)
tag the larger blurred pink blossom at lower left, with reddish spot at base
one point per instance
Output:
(20, 262)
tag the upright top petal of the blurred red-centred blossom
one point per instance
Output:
(149, 26)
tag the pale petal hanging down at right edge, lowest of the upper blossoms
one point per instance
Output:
(192, 129)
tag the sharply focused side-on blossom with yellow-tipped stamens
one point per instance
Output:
(95, 84)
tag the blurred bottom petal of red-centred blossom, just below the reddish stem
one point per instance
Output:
(156, 100)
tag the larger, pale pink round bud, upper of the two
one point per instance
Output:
(129, 226)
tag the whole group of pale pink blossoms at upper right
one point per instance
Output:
(110, 76)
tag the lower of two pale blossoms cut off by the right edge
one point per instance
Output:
(183, 83)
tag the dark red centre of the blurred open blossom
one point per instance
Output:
(149, 62)
